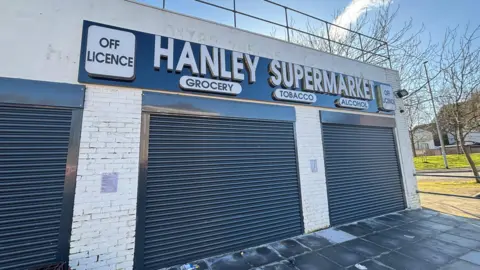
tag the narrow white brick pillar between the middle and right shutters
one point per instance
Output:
(313, 184)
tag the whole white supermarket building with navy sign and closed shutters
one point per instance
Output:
(137, 137)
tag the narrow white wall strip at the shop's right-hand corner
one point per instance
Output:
(404, 149)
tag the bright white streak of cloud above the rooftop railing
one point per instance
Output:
(352, 12)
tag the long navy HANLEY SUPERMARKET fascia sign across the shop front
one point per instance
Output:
(120, 57)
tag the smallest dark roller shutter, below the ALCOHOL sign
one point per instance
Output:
(362, 169)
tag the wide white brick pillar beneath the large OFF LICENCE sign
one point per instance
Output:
(103, 229)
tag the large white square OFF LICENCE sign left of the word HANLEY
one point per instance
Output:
(110, 53)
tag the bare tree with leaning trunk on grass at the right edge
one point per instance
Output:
(459, 61)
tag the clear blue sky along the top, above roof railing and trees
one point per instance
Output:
(436, 15)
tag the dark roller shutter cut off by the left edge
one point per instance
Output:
(33, 154)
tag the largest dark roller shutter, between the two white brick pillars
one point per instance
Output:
(216, 185)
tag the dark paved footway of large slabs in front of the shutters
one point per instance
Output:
(406, 240)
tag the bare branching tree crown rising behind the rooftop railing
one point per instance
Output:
(406, 46)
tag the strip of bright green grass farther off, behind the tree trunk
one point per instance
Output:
(436, 162)
